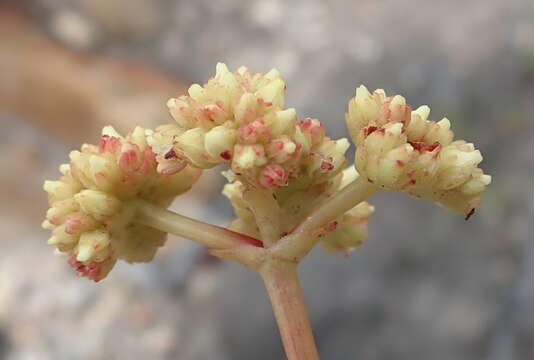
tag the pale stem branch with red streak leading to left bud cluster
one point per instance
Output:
(206, 234)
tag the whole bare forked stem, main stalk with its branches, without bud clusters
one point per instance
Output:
(278, 269)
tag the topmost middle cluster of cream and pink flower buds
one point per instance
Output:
(238, 118)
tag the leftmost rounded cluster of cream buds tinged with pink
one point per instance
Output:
(91, 211)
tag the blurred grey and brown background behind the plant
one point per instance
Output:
(426, 285)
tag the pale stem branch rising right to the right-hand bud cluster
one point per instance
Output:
(299, 243)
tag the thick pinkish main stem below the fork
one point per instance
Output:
(282, 284)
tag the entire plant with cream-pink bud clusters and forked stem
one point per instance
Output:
(287, 183)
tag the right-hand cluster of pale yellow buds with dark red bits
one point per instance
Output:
(399, 149)
